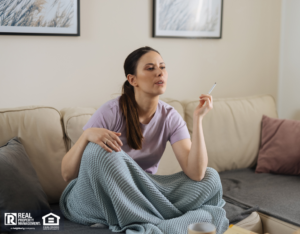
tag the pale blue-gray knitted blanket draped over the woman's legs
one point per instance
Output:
(112, 189)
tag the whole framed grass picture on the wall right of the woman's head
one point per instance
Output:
(187, 19)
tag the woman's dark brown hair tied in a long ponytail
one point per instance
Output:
(127, 100)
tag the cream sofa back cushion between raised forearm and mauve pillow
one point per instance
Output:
(232, 129)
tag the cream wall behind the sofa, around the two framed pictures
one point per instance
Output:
(88, 70)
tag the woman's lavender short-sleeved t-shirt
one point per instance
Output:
(166, 125)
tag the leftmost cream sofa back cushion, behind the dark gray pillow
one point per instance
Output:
(40, 130)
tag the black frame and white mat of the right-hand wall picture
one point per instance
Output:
(188, 34)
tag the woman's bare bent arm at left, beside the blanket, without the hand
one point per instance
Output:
(71, 161)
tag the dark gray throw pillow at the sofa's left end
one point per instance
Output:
(20, 189)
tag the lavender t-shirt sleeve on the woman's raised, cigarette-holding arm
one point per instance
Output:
(177, 127)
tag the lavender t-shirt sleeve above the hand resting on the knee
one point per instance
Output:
(102, 118)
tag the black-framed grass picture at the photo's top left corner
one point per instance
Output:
(40, 17)
